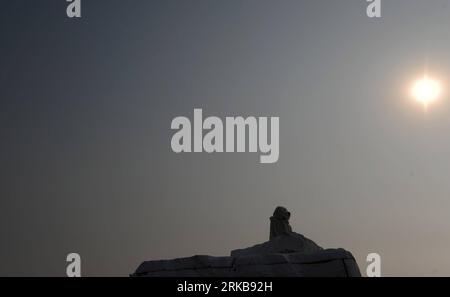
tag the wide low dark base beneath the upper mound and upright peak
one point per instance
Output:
(325, 263)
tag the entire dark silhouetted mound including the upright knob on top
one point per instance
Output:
(286, 254)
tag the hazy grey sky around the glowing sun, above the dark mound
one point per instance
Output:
(86, 105)
